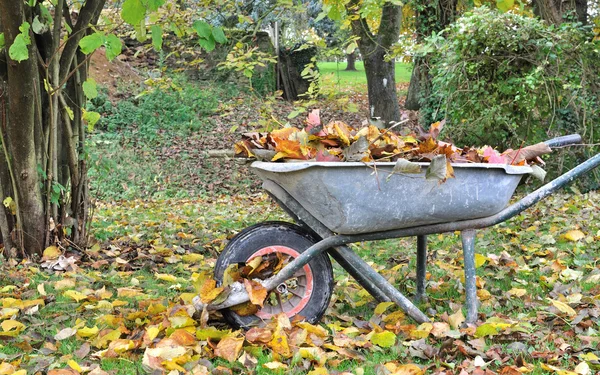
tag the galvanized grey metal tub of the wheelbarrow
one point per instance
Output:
(353, 198)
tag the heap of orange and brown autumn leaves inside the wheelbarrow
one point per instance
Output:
(338, 141)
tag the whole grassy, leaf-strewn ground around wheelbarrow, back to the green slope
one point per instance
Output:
(123, 306)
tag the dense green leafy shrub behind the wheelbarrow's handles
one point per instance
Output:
(504, 79)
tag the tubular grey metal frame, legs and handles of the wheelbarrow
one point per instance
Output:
(369, 278)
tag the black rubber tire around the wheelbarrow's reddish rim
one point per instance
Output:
(272, 233)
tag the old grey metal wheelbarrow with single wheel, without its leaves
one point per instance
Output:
(338, 203)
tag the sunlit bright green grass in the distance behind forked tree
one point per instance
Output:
(333, 73)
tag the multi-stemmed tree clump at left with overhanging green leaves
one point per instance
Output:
(45, 48)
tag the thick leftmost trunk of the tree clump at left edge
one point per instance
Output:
(20, 132)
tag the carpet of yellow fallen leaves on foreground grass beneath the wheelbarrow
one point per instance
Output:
(130, 298)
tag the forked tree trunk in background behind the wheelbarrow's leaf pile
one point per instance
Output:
(381, 81)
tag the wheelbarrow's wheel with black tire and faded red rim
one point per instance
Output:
(306, 294)
